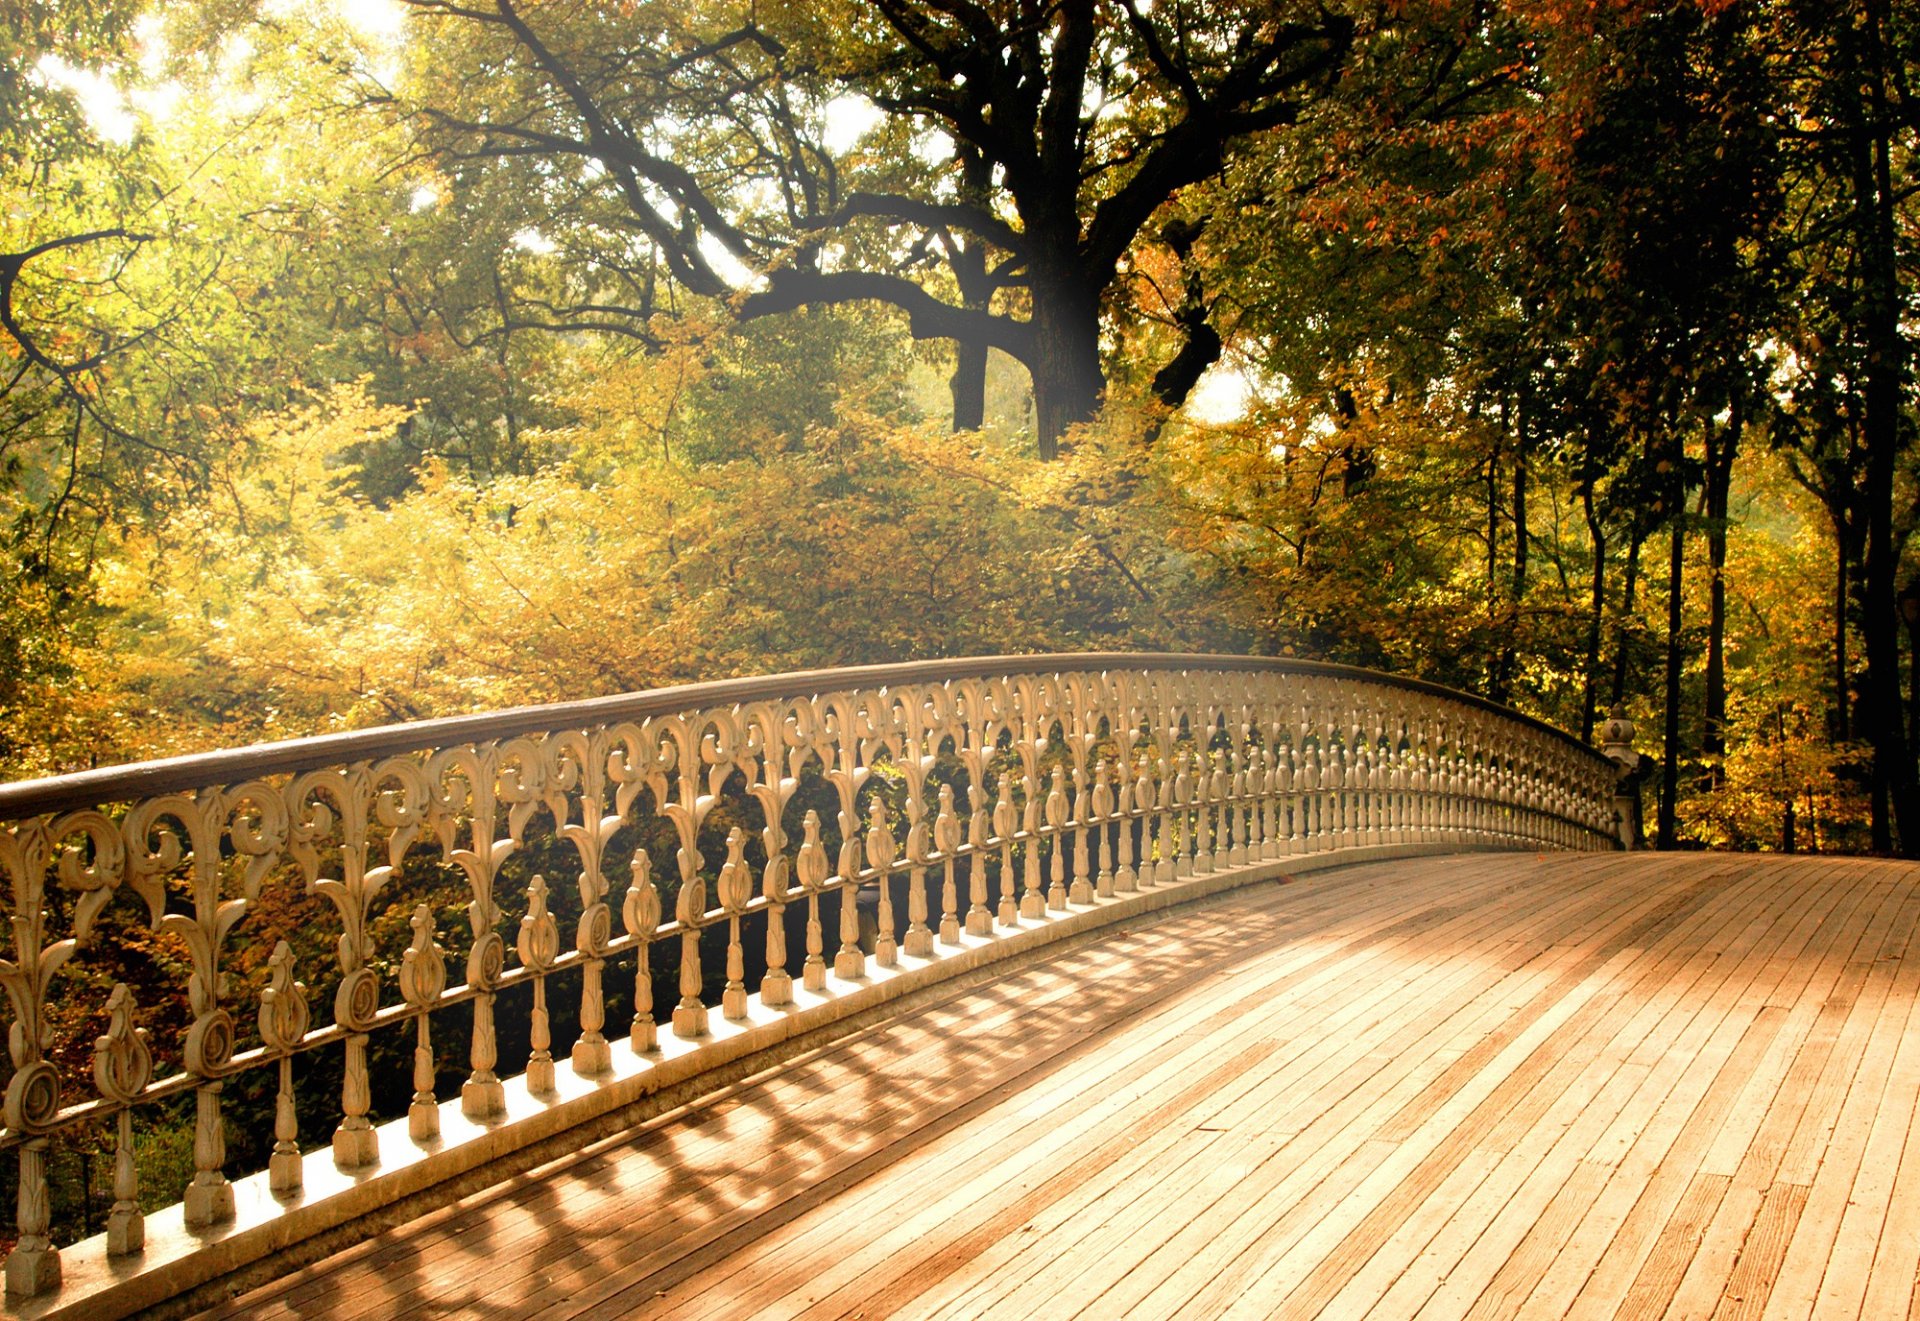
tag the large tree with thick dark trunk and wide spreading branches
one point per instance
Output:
(1051, 137)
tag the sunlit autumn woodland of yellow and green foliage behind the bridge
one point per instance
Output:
(364, 362)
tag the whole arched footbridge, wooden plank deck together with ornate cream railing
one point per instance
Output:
(1101, 986)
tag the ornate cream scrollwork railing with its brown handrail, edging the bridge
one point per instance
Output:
(894, 823)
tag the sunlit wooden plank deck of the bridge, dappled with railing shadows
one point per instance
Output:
(1464, 1088)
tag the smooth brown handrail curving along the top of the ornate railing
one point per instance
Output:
(168, 775)
